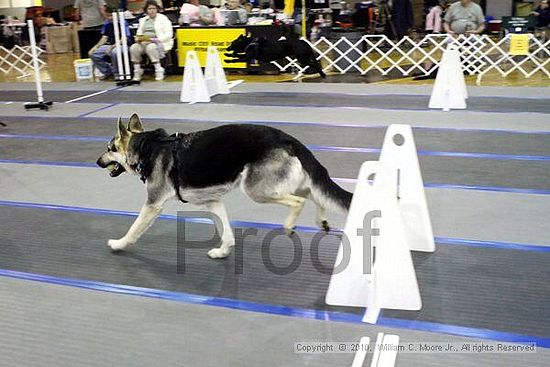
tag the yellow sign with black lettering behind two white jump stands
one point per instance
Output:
(198, 39)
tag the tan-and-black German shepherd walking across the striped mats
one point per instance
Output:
(201, 167)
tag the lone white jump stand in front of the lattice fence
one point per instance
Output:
(449, 91)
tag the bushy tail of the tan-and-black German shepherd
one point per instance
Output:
(324, 190)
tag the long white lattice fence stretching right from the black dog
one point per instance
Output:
(479, 54)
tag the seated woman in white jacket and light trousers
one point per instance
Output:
(154, 37)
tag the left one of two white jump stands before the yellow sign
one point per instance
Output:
(193, 87)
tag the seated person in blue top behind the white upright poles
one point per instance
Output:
(103, 54)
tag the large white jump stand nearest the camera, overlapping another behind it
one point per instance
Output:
(390, 281)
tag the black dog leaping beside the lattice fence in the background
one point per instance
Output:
(246, 49)
